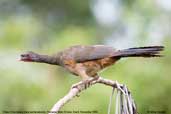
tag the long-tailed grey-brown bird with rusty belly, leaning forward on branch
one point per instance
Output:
(87, 61)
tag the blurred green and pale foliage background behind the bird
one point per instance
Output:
(50, 26)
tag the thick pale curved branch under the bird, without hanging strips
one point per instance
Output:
(80, 87)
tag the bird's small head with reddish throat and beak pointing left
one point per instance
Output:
(29, 57)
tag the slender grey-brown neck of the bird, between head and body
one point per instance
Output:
(48, 59)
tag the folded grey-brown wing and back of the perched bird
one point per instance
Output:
(86, 53)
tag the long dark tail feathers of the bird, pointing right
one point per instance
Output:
(150, 51)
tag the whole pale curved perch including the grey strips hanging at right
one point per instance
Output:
(126, 105)
